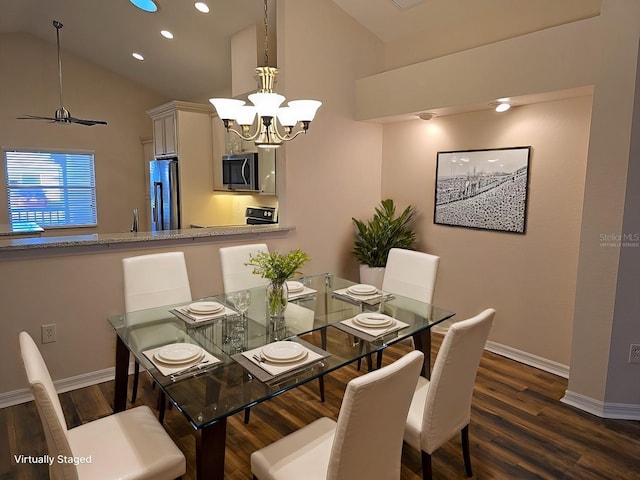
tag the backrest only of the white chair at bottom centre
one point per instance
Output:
(369, 431)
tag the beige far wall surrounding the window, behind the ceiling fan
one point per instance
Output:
(29, 85)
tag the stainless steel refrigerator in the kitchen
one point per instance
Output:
(165, 194)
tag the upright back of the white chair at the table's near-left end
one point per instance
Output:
(49, 408)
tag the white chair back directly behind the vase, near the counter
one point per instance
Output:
(235, 274)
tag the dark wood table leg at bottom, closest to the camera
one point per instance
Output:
(210, 448)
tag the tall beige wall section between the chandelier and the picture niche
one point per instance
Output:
(333, 172)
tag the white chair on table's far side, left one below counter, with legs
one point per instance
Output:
(151, 281)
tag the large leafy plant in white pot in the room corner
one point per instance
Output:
(375, 237)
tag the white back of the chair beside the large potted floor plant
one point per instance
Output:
(411, 274)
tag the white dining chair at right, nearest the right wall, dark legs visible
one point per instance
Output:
(441, 407)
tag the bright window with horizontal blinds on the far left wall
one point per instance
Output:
(52, 189)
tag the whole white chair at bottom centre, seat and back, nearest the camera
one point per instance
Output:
(366, 440)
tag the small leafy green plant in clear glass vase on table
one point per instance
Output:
(277, 268)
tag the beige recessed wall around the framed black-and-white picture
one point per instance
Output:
(529, 279)
